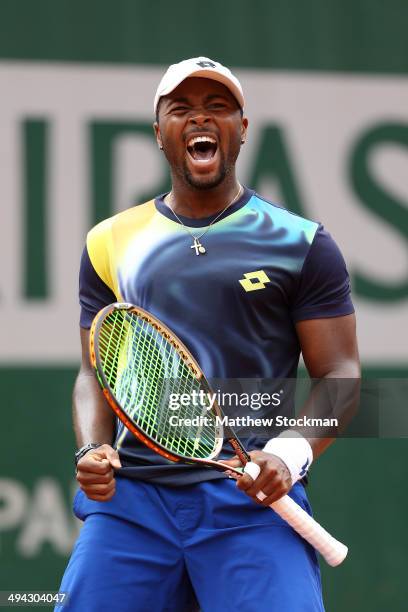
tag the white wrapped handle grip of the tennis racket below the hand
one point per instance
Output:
(333, 551)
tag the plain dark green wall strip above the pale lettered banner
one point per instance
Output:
(349, 35)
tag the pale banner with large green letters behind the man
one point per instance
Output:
(77, 145)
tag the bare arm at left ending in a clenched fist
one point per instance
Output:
(94, 422)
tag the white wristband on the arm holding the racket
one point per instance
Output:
(294, 450)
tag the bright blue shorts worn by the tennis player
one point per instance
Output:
(206, 546)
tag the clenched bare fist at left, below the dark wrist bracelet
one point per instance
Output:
(95, 472)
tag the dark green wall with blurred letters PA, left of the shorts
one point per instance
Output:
(36, 461)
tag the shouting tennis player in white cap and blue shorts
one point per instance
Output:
(246, 285)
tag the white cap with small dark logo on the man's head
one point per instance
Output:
(198, 67)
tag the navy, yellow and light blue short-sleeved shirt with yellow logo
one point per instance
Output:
(235, 307)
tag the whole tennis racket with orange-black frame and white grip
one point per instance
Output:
(140, 363)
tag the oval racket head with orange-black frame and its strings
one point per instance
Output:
(139, 362)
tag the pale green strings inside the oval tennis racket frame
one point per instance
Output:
(143, 370)
